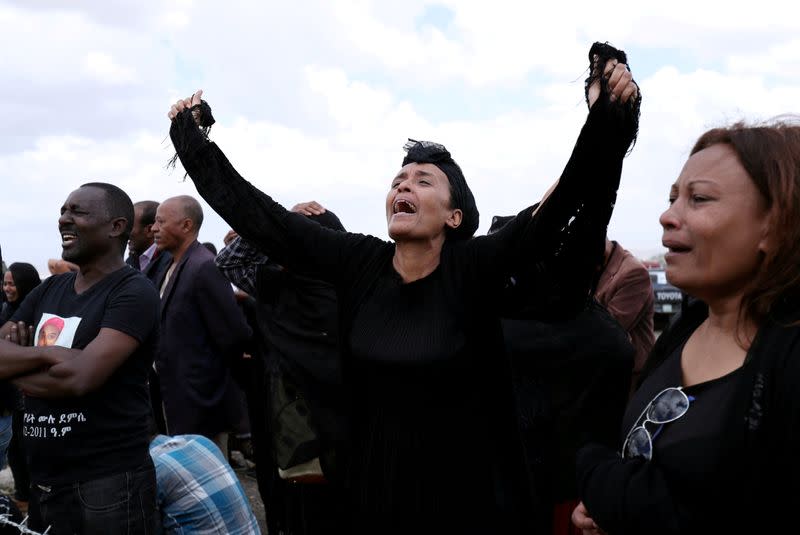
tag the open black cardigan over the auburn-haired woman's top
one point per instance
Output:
(762, 441)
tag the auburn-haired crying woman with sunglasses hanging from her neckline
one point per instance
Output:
(711, 439)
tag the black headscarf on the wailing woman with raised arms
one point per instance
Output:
(436, 154)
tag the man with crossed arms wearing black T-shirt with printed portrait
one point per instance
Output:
(87, 405)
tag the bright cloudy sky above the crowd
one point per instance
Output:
(314, 99)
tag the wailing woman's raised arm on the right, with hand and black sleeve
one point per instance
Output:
(553, 251)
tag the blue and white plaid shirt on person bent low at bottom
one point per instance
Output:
(198, 492)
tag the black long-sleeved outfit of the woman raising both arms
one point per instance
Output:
(435, 442)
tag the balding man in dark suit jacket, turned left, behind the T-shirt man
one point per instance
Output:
(202, 327)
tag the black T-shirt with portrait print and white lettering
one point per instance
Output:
(105, 431)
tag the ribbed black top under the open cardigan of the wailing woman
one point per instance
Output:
(424, 433)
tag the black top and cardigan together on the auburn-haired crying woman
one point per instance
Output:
(730, 464)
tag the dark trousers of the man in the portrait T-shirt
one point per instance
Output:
(123, 503)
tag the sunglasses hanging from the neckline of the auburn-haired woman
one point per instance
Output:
(667, 406)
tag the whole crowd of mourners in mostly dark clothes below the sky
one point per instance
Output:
(438, 382)
